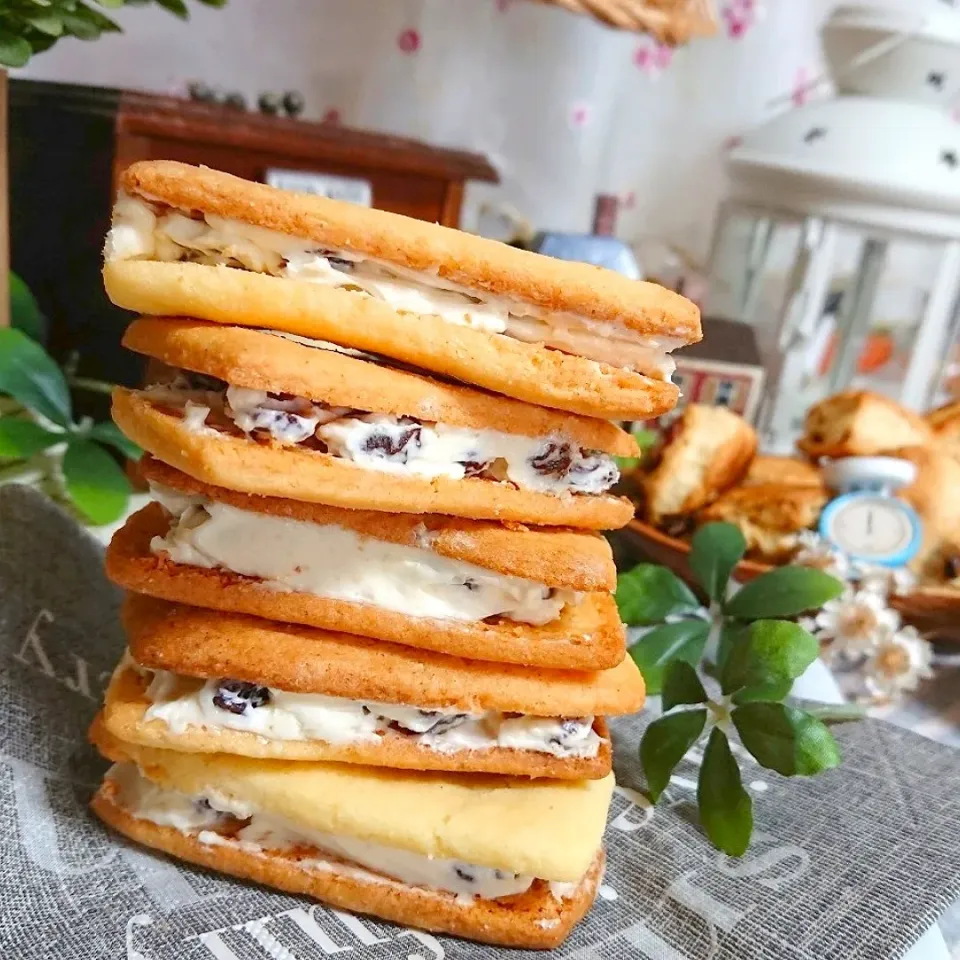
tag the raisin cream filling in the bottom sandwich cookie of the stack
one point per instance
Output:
(216, 819)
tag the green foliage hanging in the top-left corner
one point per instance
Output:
(32, 26)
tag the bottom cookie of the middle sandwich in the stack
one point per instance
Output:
(586, 636)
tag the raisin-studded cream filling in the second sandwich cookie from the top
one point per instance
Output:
(392, 444)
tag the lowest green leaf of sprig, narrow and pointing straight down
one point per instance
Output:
(726, 810)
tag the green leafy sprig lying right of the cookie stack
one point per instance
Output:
(749, 656)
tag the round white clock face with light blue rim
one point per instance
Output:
(872, 527)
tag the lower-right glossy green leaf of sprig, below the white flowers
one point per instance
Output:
(785, 739)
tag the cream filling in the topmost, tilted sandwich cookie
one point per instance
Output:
(142, 230)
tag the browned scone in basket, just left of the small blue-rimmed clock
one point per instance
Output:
(769, 515)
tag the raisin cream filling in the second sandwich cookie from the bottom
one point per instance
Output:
(182, 702)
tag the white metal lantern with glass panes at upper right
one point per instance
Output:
(840, 240)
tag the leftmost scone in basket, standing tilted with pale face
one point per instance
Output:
(706, 452)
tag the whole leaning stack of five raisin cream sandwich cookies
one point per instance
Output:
(372, 636)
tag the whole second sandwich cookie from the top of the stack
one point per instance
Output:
(365, 435)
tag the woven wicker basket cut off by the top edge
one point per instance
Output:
(670, 21)
